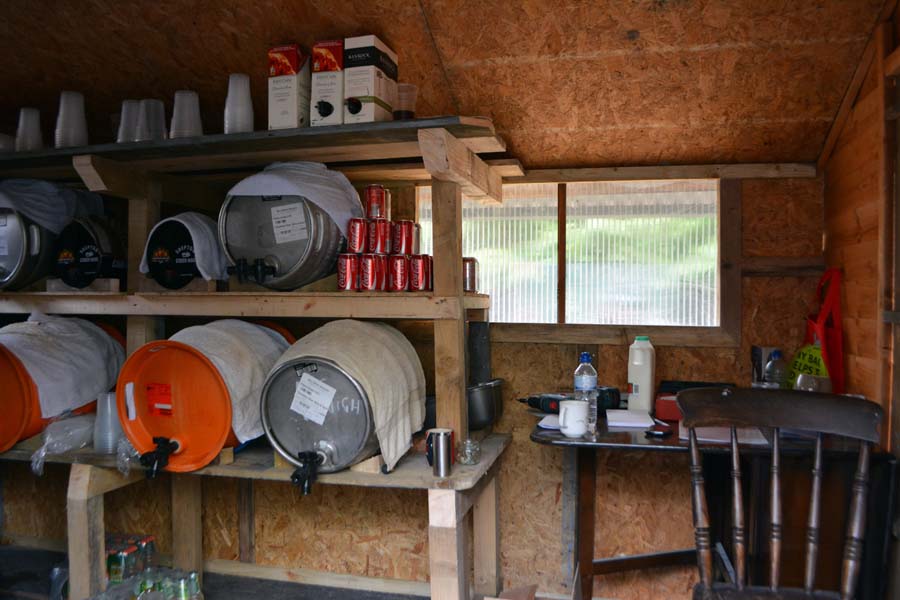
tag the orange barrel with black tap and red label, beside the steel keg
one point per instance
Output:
(172, 390)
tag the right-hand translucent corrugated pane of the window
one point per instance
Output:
(642, 253)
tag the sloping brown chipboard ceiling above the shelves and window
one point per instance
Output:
(576, 83)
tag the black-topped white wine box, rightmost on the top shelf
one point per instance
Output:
(370, 80)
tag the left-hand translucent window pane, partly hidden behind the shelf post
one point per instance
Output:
(516, 247)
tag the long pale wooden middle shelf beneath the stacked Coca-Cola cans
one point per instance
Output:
(361, 305)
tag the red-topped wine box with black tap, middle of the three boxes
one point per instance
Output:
(327, 101)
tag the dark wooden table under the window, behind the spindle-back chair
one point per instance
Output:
(878, 520)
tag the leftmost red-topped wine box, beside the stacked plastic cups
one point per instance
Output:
(289, 87)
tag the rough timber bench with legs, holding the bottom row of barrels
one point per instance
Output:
(468, 488)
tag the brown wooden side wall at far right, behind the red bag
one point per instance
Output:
(852, 197)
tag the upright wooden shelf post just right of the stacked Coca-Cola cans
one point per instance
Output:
(449, 334)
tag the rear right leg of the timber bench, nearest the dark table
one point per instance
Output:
(486, 534)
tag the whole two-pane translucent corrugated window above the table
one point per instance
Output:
(640, 253)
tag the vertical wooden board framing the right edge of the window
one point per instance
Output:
(730, 254)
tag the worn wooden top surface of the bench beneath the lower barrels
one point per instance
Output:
(412, 472)
